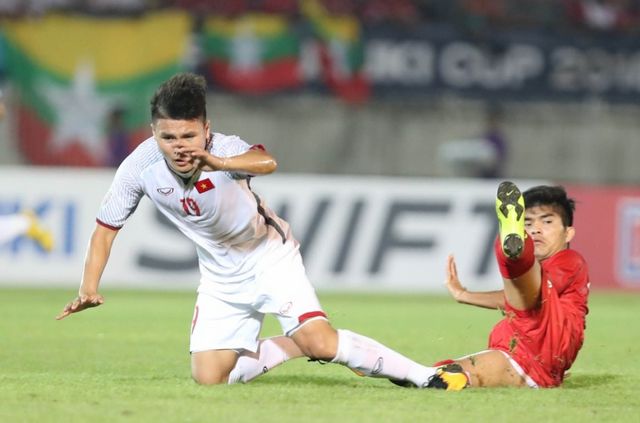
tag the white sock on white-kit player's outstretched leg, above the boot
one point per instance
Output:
(371, 358)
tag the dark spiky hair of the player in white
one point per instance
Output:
(183, 97)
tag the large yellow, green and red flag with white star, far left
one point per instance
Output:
(84, 83)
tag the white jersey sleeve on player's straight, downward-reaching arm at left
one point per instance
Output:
(123, 196)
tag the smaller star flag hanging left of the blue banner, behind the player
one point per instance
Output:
(254, 53)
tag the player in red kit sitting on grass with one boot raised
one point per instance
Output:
(544, 300)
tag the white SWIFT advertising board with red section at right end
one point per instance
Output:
(356, 233)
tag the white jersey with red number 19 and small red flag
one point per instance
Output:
(235, 234)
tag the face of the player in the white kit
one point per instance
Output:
(171, 135)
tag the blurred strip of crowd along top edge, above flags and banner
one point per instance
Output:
(473, 15)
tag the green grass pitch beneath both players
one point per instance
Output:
(128, 361)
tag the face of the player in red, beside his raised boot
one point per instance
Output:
(545, 227)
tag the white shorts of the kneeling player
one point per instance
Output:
(223, 322)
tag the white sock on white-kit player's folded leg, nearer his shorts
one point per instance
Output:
(271, 352)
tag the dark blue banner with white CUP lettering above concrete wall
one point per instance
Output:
(434, 60)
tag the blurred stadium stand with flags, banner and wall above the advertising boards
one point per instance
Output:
(539, 86)
